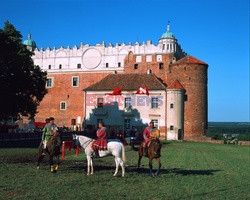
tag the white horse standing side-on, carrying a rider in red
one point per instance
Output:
(114, 147)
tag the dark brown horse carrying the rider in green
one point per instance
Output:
(53, 149)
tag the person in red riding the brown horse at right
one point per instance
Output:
(149, 133)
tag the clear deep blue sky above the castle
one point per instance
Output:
(215, 31)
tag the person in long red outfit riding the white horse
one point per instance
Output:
(101, 143)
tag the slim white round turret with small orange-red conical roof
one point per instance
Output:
(175, 111)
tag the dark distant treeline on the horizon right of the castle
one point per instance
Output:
(217, 129)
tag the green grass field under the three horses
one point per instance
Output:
(189, 171)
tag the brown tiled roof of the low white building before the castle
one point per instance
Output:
(127, 82)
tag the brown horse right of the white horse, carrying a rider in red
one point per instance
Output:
(154, 151)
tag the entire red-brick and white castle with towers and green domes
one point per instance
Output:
(81, 85)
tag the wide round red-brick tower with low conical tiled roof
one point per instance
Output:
(192, 73)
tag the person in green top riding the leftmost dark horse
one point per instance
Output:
(48, 131)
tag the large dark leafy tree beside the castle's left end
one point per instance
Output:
(22, 84)
